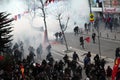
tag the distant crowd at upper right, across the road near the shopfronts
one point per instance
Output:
(110, 22)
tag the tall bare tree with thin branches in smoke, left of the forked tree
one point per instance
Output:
(38, 9)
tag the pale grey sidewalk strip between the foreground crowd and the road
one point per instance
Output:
(61, 49)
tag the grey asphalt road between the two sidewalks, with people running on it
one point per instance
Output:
(107, 46)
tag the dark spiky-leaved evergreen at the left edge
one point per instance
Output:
(5, 30)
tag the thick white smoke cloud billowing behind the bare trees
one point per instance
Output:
(27, 28)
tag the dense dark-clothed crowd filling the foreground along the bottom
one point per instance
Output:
(49, 69)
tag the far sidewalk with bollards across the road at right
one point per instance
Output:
(106, 33)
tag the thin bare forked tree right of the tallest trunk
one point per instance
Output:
(62, 15)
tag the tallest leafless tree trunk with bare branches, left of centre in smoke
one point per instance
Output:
(33, 14)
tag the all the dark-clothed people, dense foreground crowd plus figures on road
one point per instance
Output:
(21, 68)
